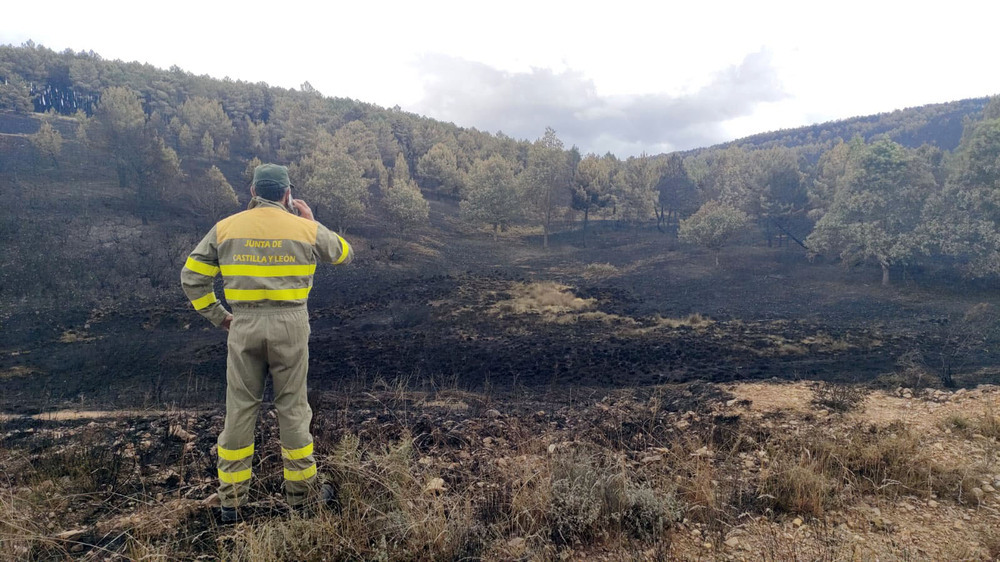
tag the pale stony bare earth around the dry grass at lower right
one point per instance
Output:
(954, 431)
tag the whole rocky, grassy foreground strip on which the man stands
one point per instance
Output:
(698, 471)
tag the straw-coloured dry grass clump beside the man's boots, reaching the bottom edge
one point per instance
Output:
(385, 512)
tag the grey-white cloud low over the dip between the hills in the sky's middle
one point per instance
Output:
(522, 104)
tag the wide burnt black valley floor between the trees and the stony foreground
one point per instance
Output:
(770, 314)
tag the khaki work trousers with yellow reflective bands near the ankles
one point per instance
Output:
(263, 340)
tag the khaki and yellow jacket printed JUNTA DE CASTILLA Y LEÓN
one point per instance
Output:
(267, 257)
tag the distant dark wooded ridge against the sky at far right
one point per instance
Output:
(937, 124)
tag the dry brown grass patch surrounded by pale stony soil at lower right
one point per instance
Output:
(808, 472)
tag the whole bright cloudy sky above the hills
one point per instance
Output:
(622, 75)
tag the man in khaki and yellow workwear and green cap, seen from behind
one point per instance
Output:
(267, 257)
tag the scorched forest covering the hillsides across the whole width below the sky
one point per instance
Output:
(180, 147)
